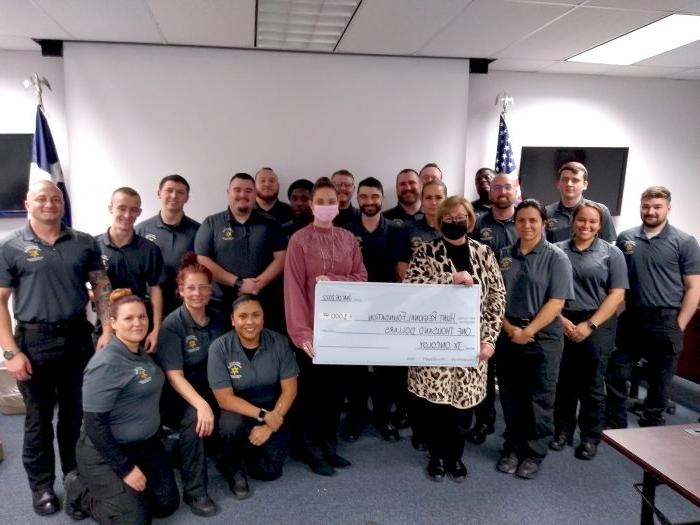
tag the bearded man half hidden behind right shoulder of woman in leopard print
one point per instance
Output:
(495, 229)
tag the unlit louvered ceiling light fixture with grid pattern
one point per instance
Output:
(313, 25)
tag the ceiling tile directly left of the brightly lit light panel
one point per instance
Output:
(578, 31)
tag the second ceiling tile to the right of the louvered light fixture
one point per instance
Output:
(487, 26)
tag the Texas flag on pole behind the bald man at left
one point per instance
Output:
(45, 164)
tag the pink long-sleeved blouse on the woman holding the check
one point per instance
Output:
(311, 252)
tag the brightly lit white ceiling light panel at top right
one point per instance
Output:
(648, 41)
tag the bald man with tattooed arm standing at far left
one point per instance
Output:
(44, 267)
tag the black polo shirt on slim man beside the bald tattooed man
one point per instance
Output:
(136, 265)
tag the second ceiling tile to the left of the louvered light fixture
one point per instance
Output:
(104, 20)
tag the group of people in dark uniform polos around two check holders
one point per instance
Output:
(227, 391)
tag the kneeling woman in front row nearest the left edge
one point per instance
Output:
(123, 474)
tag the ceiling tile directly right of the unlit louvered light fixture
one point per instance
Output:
(397, 26)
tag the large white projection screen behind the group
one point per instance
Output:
(136, 113)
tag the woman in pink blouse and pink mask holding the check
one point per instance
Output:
(318, 252)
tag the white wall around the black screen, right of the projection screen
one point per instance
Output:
(658, 119)
